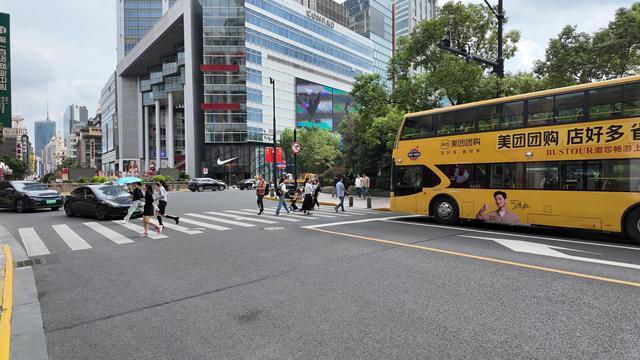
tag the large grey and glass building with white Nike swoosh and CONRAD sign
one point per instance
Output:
(194, 93)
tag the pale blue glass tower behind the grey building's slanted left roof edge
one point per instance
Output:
(135, 18)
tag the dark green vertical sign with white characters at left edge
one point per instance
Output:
(5, 72)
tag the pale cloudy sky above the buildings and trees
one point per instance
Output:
(64, 51)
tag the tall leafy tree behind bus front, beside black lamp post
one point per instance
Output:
(426, 75)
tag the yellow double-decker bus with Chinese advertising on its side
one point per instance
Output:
(567, 157)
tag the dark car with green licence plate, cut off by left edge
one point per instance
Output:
(24, 196)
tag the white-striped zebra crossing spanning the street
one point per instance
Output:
(38, 240)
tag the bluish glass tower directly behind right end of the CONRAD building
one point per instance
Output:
(373, 20)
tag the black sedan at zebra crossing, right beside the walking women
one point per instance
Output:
(100, 201)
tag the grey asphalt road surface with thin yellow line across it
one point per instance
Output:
(359, 285)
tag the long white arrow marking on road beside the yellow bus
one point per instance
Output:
(548, 250)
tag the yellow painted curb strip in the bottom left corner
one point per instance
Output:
(7, 304)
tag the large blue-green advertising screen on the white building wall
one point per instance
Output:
(320, 106)
